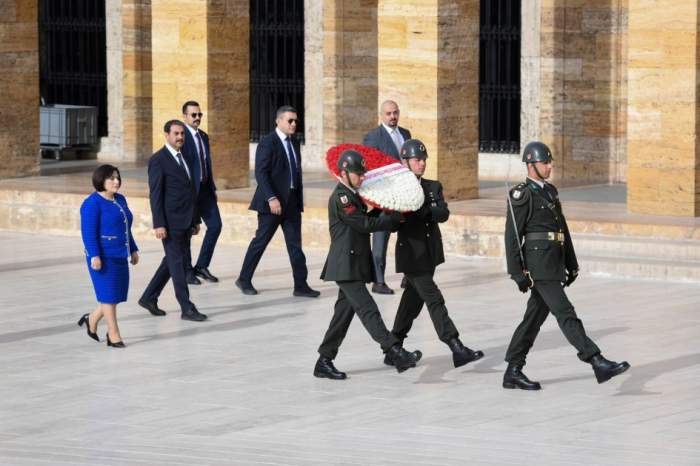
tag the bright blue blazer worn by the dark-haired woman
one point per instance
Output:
(106, 227)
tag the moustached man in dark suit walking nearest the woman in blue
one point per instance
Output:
(173, 199)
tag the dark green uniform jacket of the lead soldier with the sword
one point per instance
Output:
(546, 260)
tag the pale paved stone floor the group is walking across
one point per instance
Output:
(238, 389)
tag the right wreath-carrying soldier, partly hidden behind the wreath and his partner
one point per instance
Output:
(418, 253)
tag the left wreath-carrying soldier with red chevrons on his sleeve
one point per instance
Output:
(349, 264)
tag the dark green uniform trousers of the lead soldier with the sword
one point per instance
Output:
(545, 297)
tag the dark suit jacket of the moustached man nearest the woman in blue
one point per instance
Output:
(173, 197)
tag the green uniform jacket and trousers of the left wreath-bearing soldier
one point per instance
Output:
(349, 264)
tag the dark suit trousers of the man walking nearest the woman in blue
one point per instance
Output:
(172, 266)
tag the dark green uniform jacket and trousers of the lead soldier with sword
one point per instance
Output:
(549, 254)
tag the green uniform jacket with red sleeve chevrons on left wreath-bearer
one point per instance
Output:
(350, 256)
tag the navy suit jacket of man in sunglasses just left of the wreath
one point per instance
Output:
(273, 174)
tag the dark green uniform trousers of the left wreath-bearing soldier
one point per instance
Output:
(353, 298)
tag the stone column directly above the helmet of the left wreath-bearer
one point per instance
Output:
(349, 70)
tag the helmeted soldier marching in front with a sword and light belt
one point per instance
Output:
(534, 212)
